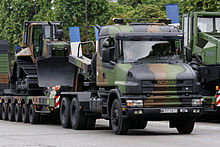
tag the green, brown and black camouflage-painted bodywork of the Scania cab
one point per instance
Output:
(160, 84)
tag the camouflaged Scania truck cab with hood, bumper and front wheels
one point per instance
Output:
(141, 75)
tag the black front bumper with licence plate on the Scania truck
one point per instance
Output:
(158, 113)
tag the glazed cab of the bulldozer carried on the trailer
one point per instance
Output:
(36, 34)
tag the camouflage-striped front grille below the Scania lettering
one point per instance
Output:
(168, 93)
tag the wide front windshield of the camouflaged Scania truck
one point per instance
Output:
(149, 51)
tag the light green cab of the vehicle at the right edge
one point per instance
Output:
(202, 34)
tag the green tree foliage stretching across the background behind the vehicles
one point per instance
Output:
(72, 13)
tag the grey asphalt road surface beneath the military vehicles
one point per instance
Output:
(156, 134)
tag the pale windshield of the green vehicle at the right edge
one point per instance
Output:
(209, 24)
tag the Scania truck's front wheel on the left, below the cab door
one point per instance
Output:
(119, 125)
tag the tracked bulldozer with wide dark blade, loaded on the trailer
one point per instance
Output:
(41, 58)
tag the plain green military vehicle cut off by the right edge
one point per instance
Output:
(202, 41)
